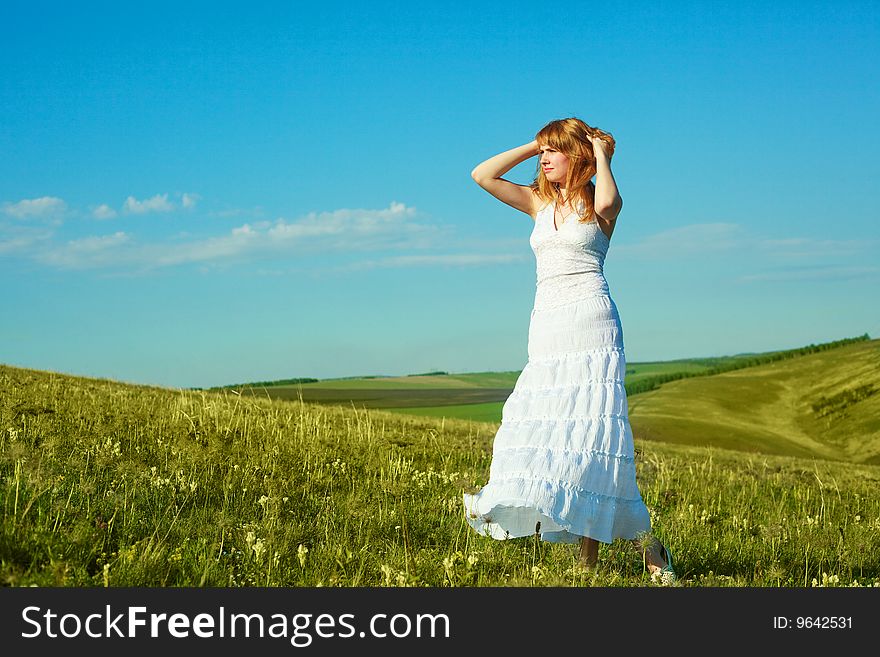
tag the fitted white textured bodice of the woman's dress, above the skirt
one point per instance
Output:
(570, 258)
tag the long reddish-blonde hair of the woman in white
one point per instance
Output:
(571, 137)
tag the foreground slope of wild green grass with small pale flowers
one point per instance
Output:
(105, 483)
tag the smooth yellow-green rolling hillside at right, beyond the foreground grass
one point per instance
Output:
(823, 405)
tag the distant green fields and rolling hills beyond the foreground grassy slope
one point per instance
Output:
(807, 403)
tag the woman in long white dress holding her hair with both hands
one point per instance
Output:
(563, 459)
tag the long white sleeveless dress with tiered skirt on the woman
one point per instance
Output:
(562, 460)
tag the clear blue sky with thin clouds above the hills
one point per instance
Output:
(194, 194)
